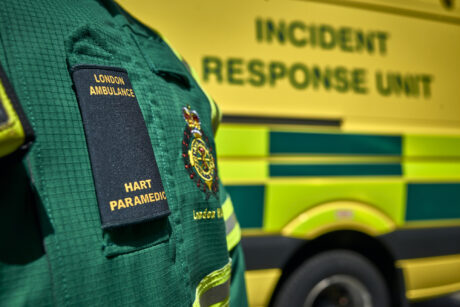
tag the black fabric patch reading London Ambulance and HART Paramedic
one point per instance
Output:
(125, 172)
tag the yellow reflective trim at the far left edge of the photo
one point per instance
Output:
(11, 133)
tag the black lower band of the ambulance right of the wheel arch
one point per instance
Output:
(420, 243)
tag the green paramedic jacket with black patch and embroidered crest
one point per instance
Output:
(118, 201)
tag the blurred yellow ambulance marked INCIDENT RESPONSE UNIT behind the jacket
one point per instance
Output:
(339, 143)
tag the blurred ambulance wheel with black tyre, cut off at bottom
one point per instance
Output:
(334, 278)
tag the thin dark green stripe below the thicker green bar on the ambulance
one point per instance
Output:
(362, 169)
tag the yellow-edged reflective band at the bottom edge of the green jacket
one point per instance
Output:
(214, 289)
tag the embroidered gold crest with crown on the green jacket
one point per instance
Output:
(198, 156)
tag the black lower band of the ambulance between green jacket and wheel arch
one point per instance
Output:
(268, 252)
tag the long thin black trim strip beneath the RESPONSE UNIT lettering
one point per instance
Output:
(268, 120)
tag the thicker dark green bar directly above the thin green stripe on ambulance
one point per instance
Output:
(331, 143)
